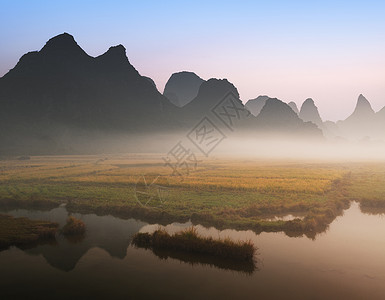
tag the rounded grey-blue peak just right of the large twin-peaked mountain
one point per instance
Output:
(182, 87)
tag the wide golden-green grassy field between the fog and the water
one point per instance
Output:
(225, 192)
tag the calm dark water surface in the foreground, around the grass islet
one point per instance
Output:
(346, 262)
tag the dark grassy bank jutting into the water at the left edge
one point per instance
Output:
(23, 232)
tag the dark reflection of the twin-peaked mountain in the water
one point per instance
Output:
(106, 232)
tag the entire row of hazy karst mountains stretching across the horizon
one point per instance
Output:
(60, 94)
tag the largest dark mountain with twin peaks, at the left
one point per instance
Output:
(60, 89)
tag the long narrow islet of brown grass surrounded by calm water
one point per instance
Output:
(190, 241)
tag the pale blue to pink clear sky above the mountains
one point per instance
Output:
(329, 50)
